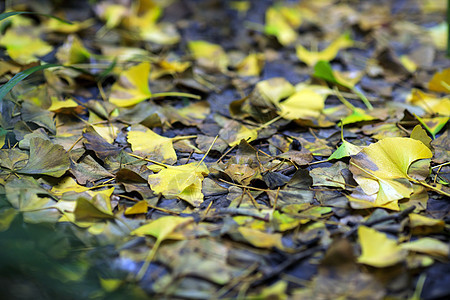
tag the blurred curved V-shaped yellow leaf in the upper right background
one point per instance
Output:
(312, 57)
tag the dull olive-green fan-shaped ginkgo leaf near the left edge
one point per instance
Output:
(46, 159)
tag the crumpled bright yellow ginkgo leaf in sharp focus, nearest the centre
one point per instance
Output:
(184, 181)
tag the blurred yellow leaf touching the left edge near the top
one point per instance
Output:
(24, 48)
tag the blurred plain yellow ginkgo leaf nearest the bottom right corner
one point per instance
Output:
(377, 249)
